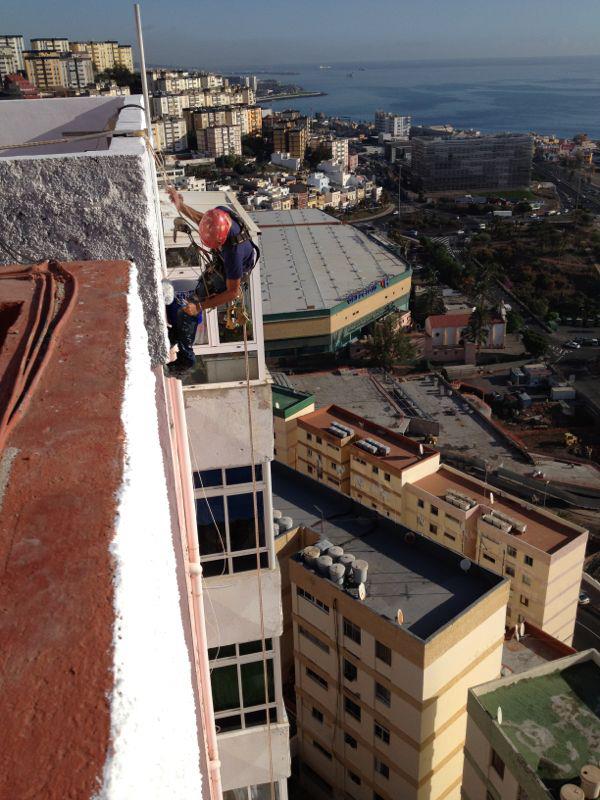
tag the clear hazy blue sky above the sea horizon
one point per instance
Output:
(215, 33)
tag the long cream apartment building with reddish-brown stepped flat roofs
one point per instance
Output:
(541, 553)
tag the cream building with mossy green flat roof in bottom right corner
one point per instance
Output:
(534, 735)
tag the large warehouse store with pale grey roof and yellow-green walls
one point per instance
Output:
(323, 282)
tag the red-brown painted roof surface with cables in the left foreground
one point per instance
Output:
(62, 467)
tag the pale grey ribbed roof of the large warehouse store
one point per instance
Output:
(311, 262)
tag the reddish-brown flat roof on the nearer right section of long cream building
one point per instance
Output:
(544, 531)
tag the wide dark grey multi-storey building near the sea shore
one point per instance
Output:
(466, 162)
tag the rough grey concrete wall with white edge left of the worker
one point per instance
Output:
(87, 207)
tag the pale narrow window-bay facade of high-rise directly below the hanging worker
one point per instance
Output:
(235, 530)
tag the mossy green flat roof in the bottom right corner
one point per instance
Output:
(552, 719)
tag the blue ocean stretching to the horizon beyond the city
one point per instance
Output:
(551, 95)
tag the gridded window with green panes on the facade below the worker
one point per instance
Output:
(238, 690)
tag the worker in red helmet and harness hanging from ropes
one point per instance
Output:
(234, 255)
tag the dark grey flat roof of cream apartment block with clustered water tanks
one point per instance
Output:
(422, 578)
